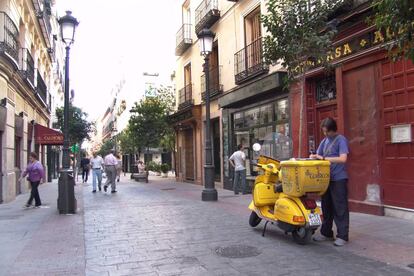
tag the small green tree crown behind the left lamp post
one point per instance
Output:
(79, 126)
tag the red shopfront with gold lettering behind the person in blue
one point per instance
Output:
(372, 99)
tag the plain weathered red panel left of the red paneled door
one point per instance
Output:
(361, 130)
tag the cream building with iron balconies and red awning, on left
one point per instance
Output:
(31, 63)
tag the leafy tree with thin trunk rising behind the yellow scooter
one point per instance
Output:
(300, 37)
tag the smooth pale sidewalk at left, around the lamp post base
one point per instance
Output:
(40, 241)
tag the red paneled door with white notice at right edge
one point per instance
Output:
(397, 107)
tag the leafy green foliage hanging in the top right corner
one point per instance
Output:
(396, 19)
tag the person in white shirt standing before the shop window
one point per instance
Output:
(238, 161)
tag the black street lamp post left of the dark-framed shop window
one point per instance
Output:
(209, 193)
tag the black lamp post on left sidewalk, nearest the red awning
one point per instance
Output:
(66, 199)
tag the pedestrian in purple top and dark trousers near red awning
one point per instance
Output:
(36, 174)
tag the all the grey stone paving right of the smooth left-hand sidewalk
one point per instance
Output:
(163, 228)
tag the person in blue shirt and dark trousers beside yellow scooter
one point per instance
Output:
(334, 148)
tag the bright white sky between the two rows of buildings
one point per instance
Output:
(118, 40)
